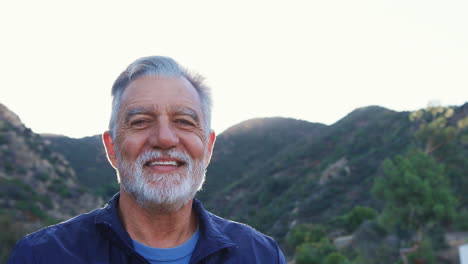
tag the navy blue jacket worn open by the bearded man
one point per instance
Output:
(99, 237)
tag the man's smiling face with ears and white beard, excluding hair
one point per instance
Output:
(161, 149)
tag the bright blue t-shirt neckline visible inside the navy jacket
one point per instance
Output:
(177, 255)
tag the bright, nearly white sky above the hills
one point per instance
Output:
(309, 60)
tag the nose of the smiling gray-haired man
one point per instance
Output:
(163, 136)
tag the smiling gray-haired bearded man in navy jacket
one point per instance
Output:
(160, 143)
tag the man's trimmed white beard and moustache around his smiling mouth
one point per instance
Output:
(161, 192)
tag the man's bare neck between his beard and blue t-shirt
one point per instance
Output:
(156, 229)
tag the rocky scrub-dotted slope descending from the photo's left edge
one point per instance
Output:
(37, 185)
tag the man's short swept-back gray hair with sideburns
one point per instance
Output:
(159, 66)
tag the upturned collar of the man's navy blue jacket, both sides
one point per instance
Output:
(212, 238)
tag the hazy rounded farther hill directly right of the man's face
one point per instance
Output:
(246, 146)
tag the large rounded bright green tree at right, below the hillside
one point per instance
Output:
(416, 193)
